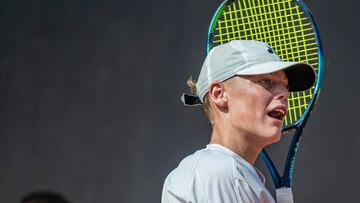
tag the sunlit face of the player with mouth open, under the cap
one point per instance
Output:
(257, 105)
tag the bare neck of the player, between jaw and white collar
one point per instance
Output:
(236, 141)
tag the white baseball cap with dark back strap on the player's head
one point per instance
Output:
(247, 57)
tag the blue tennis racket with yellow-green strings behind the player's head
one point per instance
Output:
(289, 28)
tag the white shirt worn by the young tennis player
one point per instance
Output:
(215, 175)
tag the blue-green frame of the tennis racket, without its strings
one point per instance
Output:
(286, 179)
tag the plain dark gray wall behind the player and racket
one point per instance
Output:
(90, 99)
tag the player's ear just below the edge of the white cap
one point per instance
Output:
(217, 94)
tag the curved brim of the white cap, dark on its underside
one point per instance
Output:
(301, 76)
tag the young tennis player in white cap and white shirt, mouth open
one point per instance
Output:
(243, 87)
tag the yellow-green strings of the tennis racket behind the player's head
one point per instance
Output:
(281, 24)
